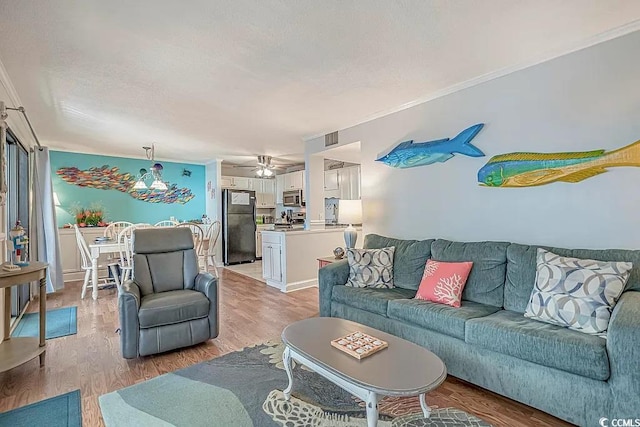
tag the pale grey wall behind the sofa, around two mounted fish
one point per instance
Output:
(586, 100)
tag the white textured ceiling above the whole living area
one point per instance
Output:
(210, 79)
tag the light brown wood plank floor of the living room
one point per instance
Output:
(251, 312)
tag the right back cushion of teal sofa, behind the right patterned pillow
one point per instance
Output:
(521, 269)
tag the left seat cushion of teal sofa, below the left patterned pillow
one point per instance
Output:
(369, 299)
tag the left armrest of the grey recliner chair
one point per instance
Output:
(128, 307)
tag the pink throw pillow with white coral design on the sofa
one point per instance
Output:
(443, 282)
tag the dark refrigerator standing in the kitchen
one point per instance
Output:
(238, 226)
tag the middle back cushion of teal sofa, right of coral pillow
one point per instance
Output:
(486, 280)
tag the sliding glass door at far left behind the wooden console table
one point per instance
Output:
(17, 206)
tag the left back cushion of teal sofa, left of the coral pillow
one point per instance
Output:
(409, 258)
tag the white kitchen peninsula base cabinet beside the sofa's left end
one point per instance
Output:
(289, 257)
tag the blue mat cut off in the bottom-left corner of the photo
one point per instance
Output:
(58, 411)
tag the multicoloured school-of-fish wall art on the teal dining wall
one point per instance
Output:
(106, 178)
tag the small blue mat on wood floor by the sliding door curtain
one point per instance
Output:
(60, 322)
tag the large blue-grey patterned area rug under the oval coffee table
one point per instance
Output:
(244, 388)
